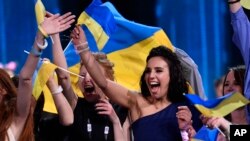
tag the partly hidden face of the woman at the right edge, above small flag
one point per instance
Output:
(231, 85)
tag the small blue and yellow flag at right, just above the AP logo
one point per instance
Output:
(219, 107)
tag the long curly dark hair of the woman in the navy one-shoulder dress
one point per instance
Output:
(178, 84)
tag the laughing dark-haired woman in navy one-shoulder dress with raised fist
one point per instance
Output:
(160, 112)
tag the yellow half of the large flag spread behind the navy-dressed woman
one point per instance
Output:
(130, 62)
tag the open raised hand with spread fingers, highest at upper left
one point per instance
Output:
(55, 23)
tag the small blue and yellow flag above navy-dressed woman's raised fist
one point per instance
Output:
(99, 21)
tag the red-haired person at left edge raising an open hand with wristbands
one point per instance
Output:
(16, 116)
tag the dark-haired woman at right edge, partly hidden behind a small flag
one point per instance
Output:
(233, 82)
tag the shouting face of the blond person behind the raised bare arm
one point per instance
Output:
(91, 91)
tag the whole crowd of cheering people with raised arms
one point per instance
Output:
(108, 111)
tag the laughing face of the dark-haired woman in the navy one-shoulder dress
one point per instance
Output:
(157, 77)
